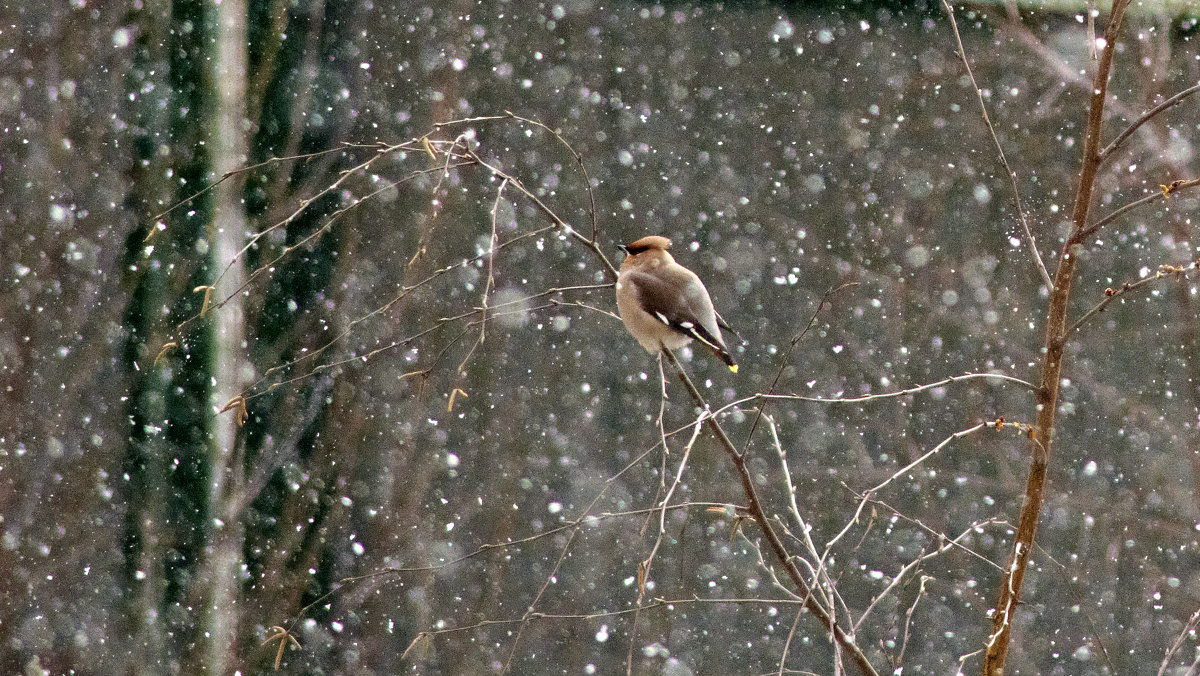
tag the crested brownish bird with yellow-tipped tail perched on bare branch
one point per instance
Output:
(664, 304)
